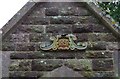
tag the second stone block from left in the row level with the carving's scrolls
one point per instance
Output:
(25, 47)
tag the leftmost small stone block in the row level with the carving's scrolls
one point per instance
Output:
(7, 46)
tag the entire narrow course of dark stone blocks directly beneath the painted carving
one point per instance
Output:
(62, 55)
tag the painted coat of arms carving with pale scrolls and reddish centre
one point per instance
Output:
(64, 42)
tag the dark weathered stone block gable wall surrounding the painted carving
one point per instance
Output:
(51, 19)
